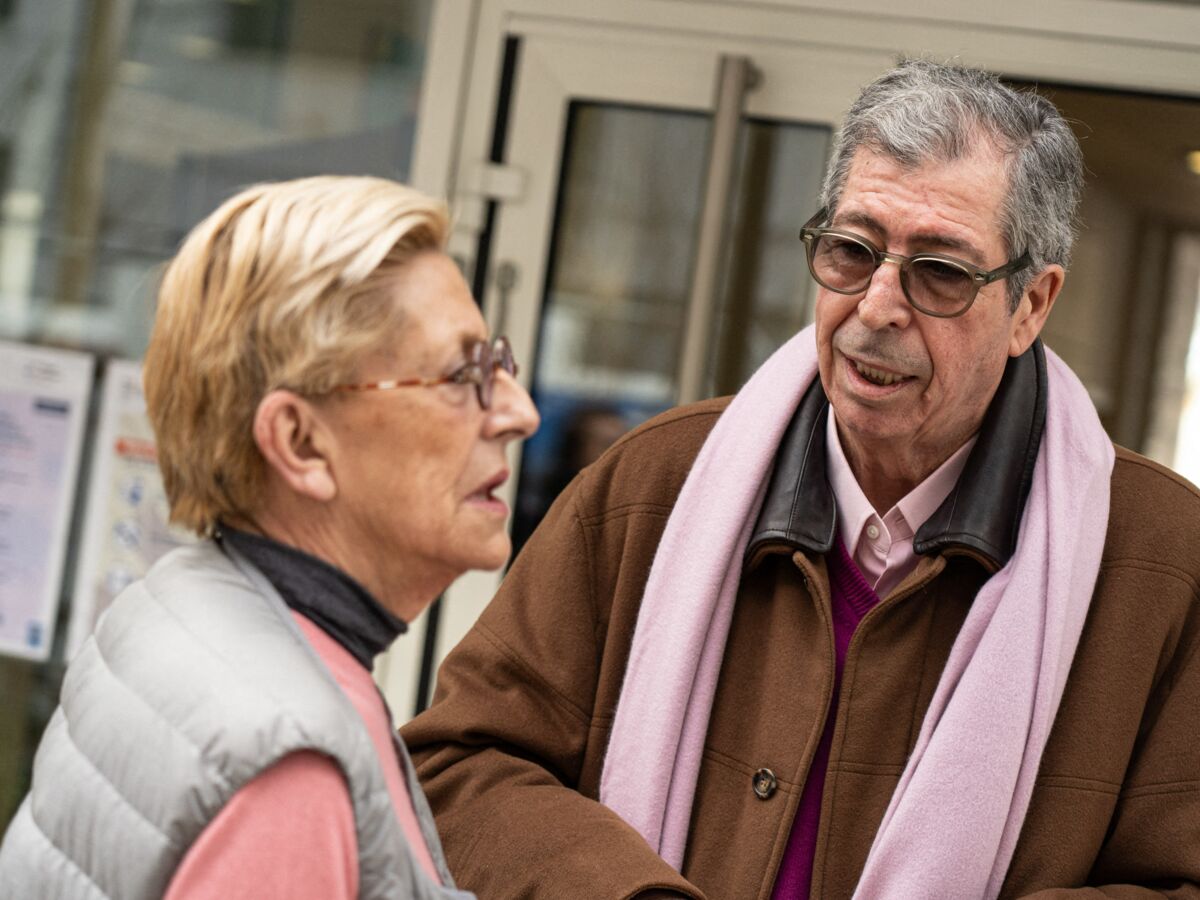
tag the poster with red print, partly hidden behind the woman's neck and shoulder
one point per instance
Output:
(125, 530)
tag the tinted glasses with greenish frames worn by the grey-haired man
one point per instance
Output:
(934, 284)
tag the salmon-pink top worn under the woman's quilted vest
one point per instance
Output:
(290, 833)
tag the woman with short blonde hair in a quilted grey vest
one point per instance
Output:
(332, 419)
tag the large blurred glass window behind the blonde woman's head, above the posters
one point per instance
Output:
(202, 99)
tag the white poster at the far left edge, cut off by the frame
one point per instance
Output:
(44, 411)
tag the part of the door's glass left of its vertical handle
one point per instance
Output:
(617, 289)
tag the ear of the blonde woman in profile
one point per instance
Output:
(293, 441)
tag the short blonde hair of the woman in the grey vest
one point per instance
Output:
(285, 285)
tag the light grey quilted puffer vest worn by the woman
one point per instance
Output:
(196, 681)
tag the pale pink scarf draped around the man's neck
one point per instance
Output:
(956, 817)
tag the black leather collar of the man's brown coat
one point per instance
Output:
(981, 518)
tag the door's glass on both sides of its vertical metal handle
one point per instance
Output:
(621, 268)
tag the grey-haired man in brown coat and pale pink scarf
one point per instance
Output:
(897, 622)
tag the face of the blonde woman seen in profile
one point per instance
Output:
(418, 469)
